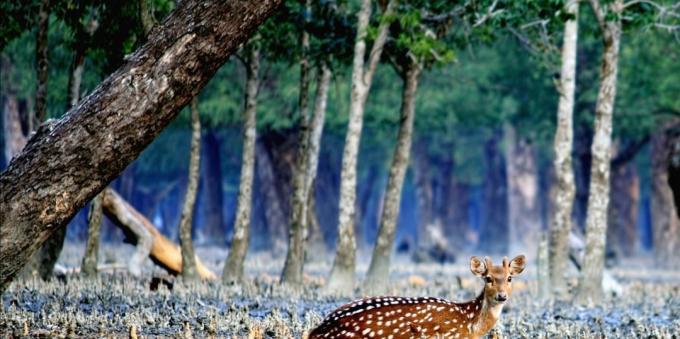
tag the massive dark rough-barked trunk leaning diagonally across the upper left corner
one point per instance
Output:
(69, 161)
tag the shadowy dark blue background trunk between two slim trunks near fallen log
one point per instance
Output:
(211, 197)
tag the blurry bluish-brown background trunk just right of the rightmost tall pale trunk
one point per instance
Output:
(622, 235)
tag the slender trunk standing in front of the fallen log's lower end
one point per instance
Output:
(189, 271)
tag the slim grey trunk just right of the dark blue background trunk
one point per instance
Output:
(233, 268)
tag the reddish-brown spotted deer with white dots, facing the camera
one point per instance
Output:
(400, 317)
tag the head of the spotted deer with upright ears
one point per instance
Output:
(497, 279)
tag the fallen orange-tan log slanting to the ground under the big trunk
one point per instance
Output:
(141, 232)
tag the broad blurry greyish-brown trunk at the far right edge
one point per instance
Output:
(665, 222)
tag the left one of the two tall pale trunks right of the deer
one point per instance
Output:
(564, 188)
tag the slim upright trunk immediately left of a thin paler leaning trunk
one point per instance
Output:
(297, 231)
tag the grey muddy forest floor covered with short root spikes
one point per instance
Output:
(114, 303)
